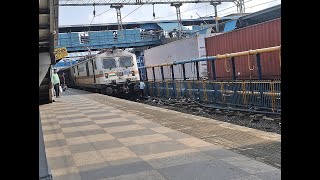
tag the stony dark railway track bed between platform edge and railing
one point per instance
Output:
(252, 118)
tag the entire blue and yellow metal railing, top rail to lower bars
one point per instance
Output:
(258, 93)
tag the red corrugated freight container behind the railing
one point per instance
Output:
(263, 35)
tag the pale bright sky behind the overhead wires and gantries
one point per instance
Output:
(76, 15)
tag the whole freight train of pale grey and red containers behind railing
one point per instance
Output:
(258, 36)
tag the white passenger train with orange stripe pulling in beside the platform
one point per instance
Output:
(109, 72)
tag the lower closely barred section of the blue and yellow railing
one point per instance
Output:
(243, 94)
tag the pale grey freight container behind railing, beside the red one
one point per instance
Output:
(184, 49)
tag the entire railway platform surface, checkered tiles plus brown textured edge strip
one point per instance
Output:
(92, 136)
